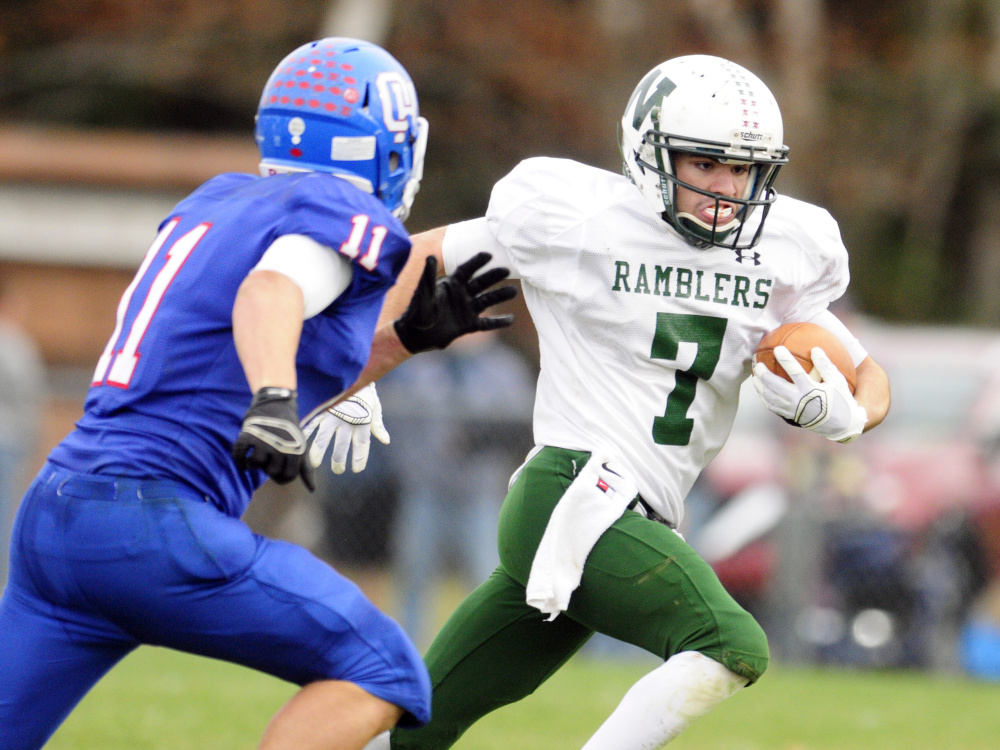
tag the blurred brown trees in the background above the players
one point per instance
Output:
(891, 109)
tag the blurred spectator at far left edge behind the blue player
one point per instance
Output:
(22, 384)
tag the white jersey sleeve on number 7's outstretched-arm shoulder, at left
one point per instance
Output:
(537, 214)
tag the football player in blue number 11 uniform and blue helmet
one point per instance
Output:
(256, 304)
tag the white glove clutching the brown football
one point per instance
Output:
(826, 406)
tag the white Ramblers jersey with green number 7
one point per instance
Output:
(644, 340)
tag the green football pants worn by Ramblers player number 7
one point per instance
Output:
(641, 584)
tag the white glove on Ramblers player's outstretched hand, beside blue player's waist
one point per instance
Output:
(350, 422)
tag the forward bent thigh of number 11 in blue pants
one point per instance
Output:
(217, 589)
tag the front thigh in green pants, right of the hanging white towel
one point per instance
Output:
(643, 584)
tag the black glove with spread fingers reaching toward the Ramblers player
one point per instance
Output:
(443, 309)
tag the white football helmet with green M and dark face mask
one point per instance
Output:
(709, 106)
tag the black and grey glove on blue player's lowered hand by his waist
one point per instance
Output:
(272, 440)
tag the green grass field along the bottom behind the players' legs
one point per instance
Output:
(160, 700)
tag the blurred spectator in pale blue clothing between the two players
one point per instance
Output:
(460, 421)
